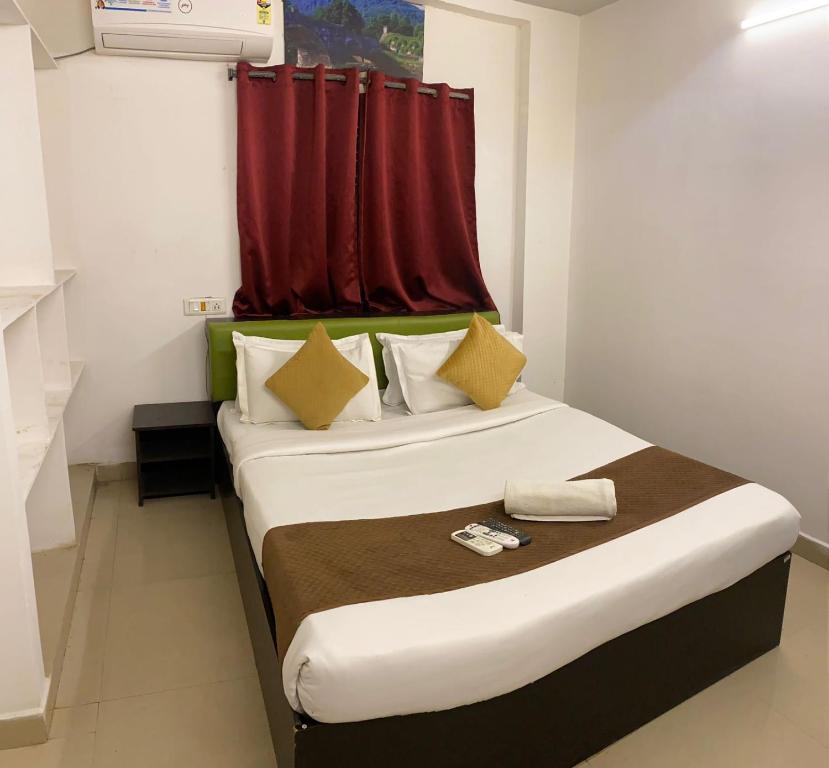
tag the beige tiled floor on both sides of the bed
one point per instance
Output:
(159, 670)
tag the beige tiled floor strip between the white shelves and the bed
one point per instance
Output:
(159, 671)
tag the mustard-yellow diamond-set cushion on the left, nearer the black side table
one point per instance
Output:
(317, 382)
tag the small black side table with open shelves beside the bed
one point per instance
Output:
(175, 449)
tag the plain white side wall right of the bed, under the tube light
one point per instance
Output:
(699, 298)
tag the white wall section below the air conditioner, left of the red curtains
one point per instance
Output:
(140, 174)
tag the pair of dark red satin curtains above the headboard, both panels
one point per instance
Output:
(298, 194)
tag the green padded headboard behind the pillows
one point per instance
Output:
(222, 354)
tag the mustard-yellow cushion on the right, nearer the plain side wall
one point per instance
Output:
(484, 366)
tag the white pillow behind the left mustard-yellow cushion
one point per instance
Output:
(262, 357)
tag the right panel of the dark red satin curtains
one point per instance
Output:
(418, 231)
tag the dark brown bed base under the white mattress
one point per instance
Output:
(556, 722)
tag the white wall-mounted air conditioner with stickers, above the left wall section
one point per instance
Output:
(215, 30)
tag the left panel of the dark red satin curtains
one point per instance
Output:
(296, 196)
